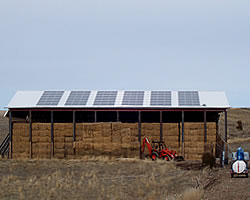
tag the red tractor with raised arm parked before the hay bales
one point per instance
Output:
(159, 150)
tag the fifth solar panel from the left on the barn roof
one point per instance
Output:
(160, 98)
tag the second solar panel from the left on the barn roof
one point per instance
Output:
(78, 98)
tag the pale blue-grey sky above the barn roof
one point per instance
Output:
(132, 44)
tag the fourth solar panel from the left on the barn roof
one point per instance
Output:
(133, 98)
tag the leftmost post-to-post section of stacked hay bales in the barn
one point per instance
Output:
(20, 140)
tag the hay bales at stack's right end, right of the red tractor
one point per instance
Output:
(194, 139)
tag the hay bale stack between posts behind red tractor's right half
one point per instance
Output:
(171, 136)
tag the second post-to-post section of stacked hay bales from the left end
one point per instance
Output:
(41, 140)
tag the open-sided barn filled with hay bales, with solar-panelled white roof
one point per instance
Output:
(73, 124)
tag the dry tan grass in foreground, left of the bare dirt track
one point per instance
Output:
(92, 179)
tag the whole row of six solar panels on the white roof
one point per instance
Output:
(108, 98)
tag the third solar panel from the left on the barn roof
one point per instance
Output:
(104, 98)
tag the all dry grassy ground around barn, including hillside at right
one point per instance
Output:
(107, 178)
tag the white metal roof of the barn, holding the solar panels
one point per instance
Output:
(206, 99)
